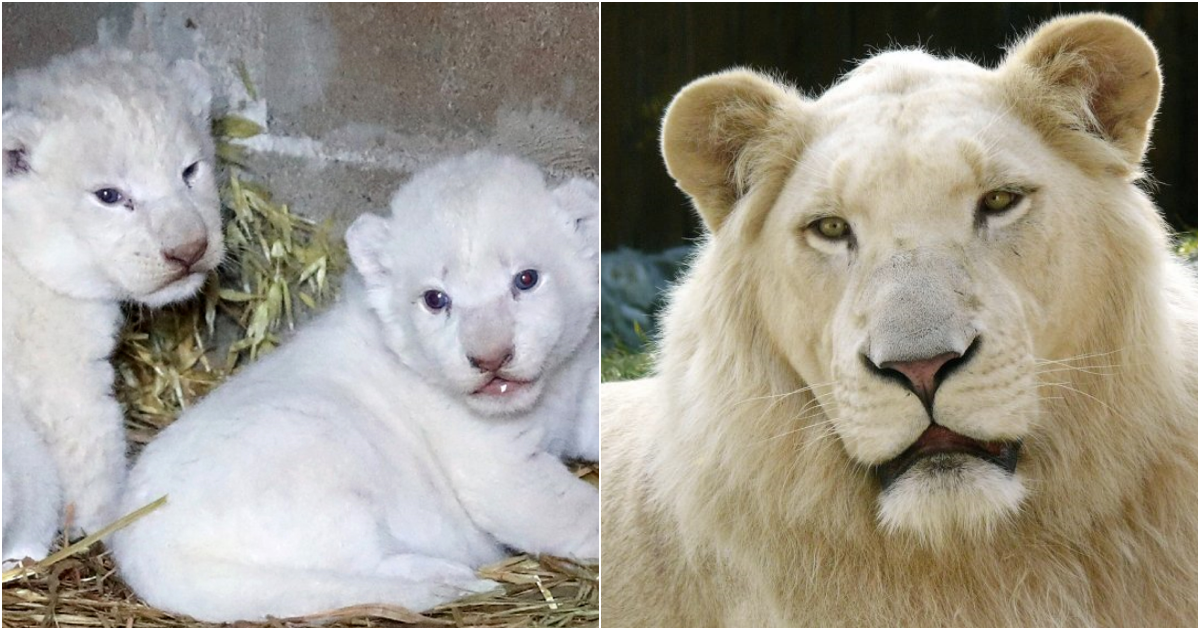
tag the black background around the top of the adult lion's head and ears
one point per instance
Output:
(651, 51)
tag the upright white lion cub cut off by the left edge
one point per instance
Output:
(109, 196)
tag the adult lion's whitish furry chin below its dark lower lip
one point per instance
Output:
(951, 496)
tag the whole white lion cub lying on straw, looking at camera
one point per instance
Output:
(409, 436)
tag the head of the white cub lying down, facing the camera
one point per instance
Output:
(485, 279)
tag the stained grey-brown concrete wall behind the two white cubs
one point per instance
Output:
(357, 97)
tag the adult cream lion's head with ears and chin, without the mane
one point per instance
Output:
(911, 242)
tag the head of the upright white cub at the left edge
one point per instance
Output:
(110, 194)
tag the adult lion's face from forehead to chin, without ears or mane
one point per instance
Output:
(899, 238)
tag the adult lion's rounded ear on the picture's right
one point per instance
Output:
(1101, 73)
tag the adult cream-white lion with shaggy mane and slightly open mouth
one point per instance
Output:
(934, 364)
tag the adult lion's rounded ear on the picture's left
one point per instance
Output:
(709, 134)
